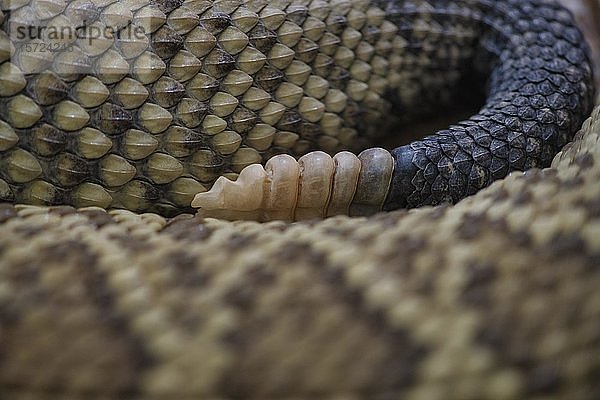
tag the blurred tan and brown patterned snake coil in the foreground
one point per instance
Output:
(496, 297)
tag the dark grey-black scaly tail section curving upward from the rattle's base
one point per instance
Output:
(523, 127)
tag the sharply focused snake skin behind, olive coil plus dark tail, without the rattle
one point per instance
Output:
(144, 124)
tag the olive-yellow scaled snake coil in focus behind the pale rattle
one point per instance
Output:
(146, 122)
